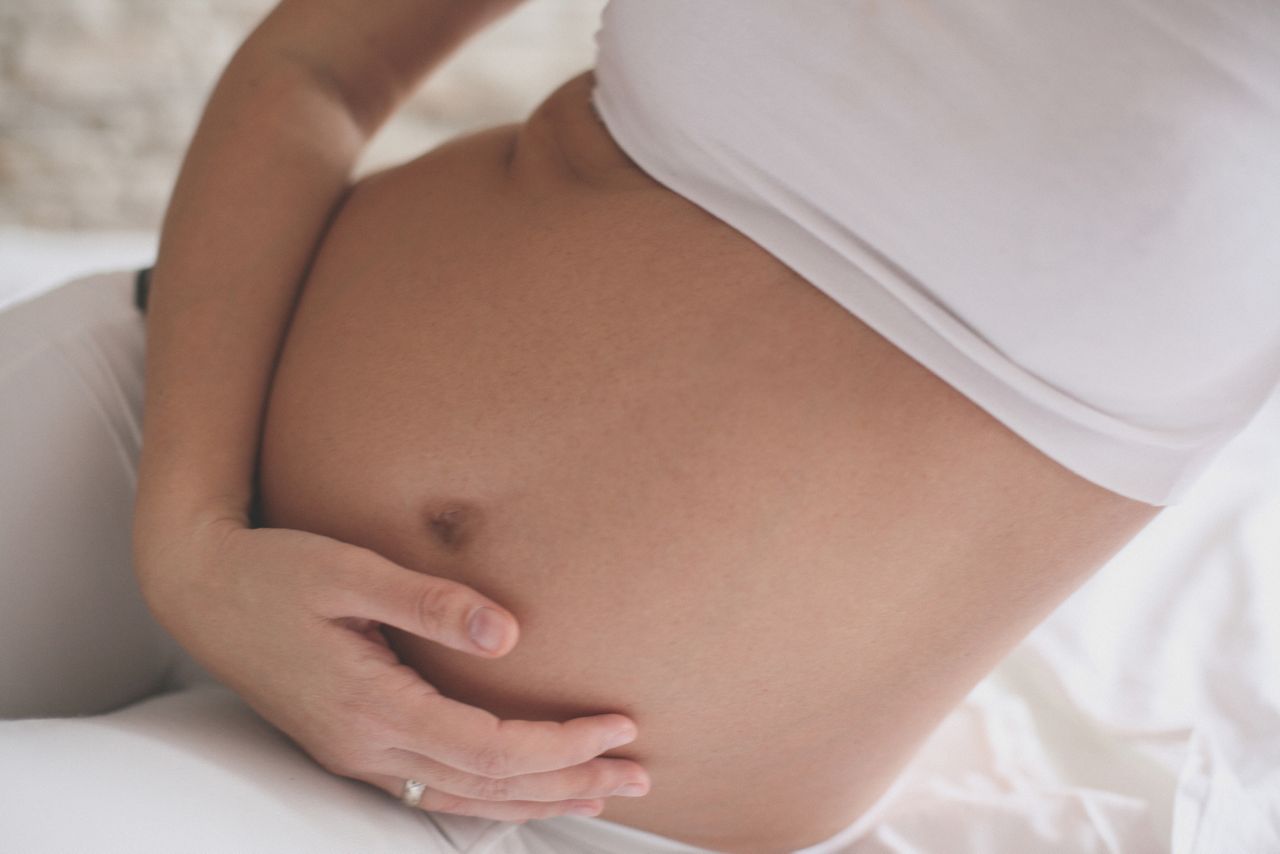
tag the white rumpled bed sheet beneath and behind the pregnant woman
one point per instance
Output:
(1142, 716)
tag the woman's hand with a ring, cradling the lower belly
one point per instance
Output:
(290, 622)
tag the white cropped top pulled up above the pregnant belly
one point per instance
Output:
(1069, 212)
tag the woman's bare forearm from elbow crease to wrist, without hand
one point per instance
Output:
(264, 171)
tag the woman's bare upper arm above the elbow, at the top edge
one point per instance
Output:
(372, 56)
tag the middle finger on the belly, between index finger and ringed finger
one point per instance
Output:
(596, 779)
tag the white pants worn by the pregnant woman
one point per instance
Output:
(159, 756)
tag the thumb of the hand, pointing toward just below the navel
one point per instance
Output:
(431, 608)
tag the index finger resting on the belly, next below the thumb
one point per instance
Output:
(478, 742)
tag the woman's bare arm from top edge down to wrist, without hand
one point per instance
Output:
(266, 170)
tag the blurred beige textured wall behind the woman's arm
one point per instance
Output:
(99, 98)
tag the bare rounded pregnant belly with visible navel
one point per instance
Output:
(715, 500)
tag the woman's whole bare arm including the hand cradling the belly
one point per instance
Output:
(289, 619)
